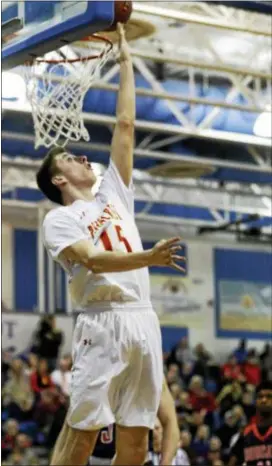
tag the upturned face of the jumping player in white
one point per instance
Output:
(76, 170)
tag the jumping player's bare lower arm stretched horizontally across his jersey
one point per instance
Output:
(164, 253)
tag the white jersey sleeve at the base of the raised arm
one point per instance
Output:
(113, 183)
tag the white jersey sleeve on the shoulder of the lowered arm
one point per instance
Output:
(60, 230)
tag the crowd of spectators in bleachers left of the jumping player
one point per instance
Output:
(35, 387)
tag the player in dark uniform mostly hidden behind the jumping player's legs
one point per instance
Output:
(167, 420)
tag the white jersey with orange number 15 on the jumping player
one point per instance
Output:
(108, 221)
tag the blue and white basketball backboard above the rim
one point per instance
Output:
(33, 28)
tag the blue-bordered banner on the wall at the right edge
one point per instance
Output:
(243, 294)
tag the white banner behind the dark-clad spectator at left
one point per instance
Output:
(18, 330)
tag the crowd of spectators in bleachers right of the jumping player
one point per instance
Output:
(214, 402)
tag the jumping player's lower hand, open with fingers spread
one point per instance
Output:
(165, 253)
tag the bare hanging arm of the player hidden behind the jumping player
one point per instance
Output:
(168, 418)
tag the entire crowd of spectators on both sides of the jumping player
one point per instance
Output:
(213, 402)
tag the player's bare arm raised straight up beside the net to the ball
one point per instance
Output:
(123, 136)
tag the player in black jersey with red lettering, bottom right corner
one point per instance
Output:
(254, 446)
